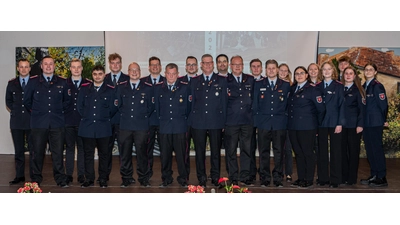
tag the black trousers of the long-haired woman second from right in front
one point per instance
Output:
(350, 155)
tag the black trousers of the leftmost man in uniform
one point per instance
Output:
(21, 138)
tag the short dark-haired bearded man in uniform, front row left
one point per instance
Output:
(97, 104)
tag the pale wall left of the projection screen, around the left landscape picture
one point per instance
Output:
(9, 40)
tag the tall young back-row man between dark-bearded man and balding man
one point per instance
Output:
(114, 78)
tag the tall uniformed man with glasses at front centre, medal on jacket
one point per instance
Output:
(207, 118)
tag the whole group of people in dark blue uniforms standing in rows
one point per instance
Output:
(320, 115)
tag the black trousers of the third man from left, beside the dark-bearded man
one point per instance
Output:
(72, 139)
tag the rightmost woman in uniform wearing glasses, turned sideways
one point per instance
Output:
(375, 116)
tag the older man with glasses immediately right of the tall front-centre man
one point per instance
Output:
(239, 122)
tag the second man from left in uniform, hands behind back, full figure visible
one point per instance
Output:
(46, 98)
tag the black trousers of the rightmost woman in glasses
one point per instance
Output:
(374, 147)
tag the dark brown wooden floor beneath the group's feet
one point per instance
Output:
(49, 185)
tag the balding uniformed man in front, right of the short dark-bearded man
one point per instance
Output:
(135, 102)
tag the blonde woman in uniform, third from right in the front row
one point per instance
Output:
(329, 156)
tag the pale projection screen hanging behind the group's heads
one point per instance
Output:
(292, 47)
